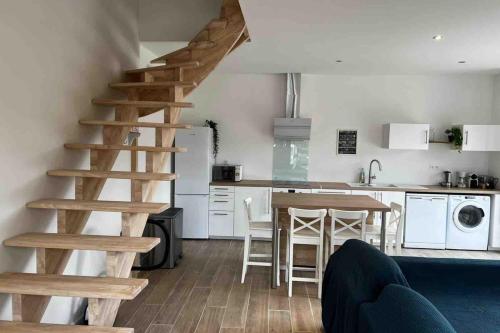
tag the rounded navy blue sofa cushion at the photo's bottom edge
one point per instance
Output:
(400, 309)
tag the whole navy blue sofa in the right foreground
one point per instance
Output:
(366, 291)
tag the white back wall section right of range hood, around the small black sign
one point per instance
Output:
(367, 102)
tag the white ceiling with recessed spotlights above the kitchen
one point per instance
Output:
(369, 36)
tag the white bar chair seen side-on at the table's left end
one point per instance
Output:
(263, 230)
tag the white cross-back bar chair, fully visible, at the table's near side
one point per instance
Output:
(308, 232)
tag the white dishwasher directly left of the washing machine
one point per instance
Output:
(425, 221)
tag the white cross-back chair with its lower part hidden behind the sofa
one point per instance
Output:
(345, 225)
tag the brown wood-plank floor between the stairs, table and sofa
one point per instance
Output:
(204, 294)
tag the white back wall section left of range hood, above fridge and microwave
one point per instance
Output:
(244, 106)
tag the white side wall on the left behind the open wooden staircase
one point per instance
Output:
(57, 56)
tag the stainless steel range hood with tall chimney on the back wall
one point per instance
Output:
(292, 127)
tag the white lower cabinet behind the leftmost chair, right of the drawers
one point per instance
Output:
(261, 206)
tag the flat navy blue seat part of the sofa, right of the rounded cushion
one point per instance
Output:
(465, 291)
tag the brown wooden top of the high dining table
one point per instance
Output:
(334, 201)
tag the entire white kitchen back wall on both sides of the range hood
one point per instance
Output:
(244, 106)
